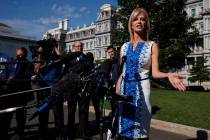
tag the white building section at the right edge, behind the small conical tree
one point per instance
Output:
(200, 10)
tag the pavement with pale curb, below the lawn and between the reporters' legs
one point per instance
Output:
(160, 130)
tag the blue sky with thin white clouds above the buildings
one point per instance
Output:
(34, 17)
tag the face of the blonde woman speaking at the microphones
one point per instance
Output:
(139, 23)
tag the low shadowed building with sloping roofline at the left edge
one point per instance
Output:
(10, 39)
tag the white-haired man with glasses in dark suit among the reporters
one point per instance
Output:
(71, 84)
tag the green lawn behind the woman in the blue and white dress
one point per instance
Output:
(189, 108)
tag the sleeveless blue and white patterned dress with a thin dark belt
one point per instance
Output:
(135, 117)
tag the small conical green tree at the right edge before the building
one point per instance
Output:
(199, 71)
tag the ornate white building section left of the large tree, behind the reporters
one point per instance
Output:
(96, 37)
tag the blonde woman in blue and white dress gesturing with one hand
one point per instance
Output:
(142, 56)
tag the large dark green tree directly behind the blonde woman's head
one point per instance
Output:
(169, 28)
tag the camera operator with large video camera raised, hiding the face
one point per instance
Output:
(46, 75)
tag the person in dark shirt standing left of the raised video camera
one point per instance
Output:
(20, 81)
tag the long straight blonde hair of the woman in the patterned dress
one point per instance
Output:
(133, 15)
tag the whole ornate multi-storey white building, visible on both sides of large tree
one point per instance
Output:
(98, 36)
